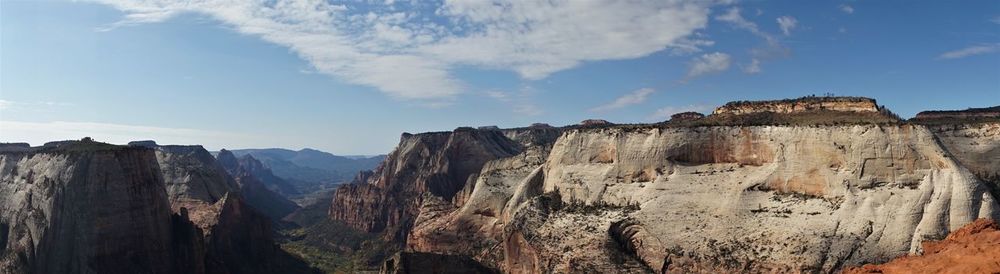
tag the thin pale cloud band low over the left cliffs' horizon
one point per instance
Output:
(38, 133)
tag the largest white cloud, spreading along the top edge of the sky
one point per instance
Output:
(410, 54)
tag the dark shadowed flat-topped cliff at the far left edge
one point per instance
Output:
(89, 208)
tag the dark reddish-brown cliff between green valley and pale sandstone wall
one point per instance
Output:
(439, 164)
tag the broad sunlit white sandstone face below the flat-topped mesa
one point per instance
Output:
(771, 198)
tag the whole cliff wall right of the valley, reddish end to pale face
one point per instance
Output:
(688, 199)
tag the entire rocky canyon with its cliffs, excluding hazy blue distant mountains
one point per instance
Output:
(814, 185)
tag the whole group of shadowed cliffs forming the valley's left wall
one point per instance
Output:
(88, 207)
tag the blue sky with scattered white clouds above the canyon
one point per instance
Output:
(348, 77)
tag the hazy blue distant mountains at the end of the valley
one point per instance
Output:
(310, 166)
